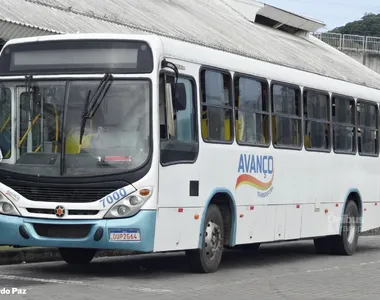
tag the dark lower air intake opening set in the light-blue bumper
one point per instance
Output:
(62, 231)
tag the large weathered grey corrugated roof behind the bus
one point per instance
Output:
(211, 23)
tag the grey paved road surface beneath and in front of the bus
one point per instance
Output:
(277, 271)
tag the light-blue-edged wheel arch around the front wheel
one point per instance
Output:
(225, 201)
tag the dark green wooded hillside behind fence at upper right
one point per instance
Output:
(369, 25)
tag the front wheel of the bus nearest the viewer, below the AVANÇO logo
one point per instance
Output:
(205, 260)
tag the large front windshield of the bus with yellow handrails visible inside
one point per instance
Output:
(56, 136)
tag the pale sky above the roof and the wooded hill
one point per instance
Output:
(333, 13)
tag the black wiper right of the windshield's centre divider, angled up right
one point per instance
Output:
(92, 104)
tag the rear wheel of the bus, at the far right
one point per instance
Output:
(347, 242)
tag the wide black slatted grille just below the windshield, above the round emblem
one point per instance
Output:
(66, 194)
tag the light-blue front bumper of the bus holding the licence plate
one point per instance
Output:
(138, 230)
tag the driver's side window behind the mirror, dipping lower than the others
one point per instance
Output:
(183, 146)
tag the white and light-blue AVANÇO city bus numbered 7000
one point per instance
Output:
(146, 143)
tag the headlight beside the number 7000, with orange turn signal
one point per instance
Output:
(130, 205)
